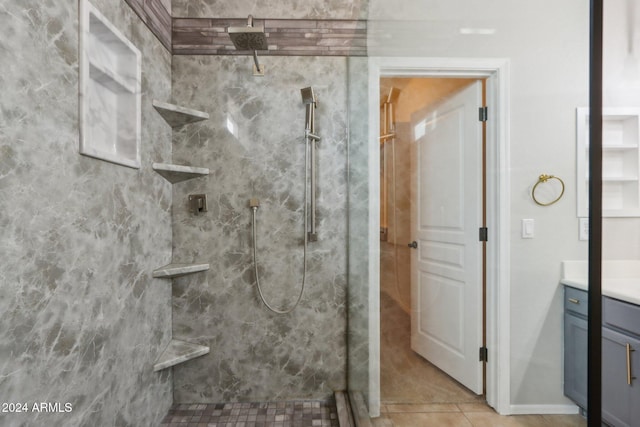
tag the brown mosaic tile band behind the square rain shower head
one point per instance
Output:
(285, 37)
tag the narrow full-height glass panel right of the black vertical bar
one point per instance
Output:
(621, 212)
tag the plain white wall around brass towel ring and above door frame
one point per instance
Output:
(547, 44)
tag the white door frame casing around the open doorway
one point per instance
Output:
(496, 71)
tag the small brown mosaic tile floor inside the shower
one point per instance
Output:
(272, 414)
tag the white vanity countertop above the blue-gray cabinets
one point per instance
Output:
(620, 279)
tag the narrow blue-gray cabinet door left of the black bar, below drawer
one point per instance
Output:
(575, 359)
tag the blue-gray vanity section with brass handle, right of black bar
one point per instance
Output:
(620, 360)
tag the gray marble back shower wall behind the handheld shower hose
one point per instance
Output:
(253, 145)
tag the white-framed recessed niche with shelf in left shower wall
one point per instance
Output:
(109, 92)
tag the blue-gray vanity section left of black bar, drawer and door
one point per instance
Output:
(575, 345)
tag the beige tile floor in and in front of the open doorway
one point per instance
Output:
(417, 394)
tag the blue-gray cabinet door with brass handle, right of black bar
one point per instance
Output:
(620, 400)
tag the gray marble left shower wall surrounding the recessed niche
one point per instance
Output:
(82, 319)
